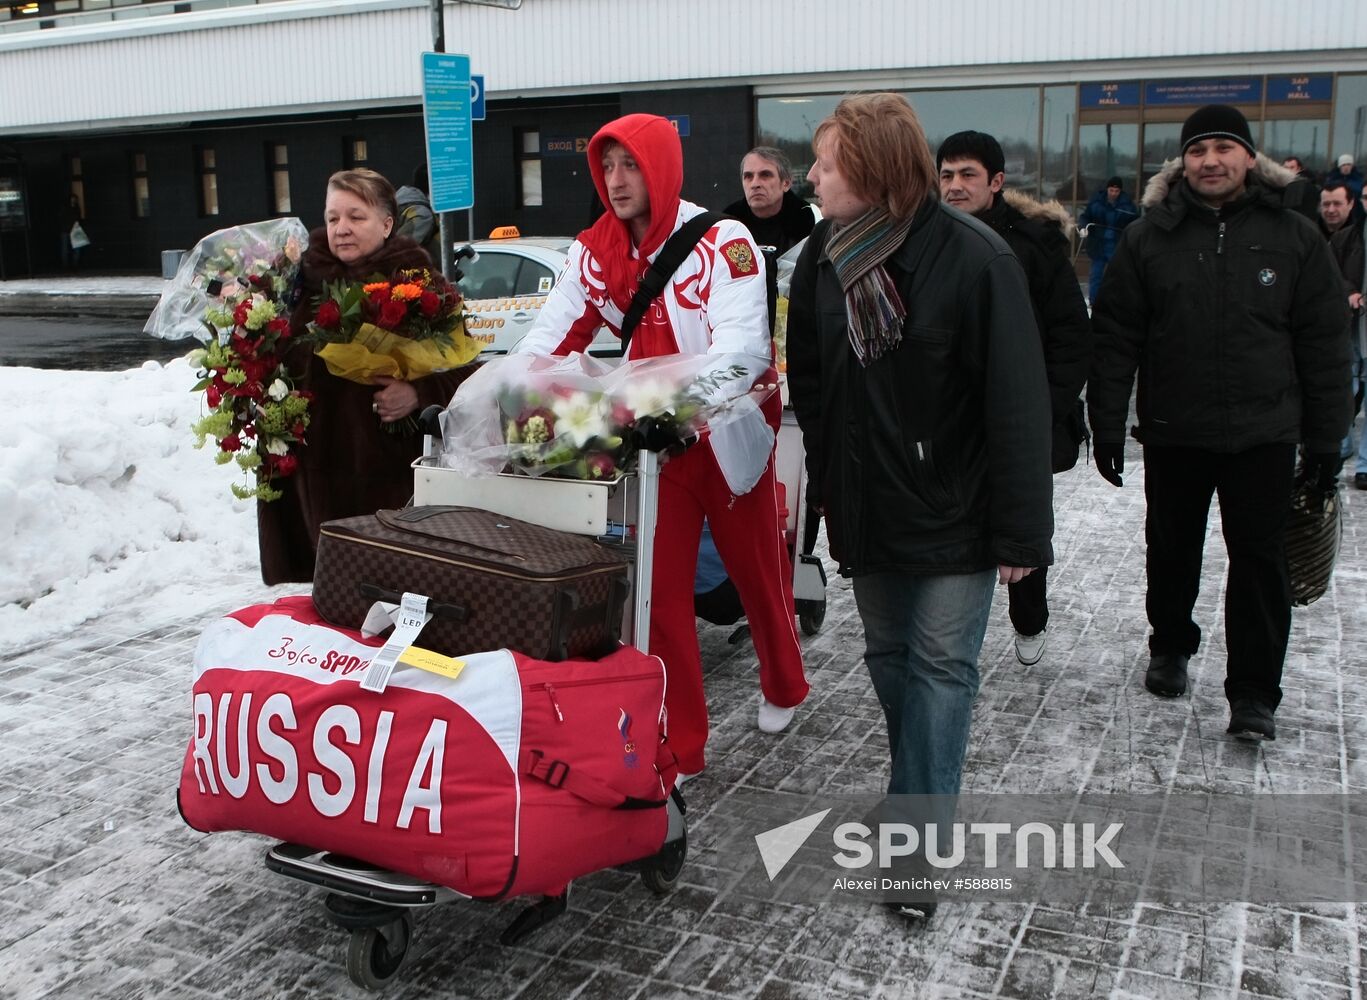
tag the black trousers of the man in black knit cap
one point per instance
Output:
(1254, 490)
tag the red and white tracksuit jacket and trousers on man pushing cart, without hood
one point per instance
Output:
(716, 304)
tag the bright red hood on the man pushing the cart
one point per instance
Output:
(654, 144)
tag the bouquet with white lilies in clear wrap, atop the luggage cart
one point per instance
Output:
(582, 419)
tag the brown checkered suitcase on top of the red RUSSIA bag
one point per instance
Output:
(493, 583)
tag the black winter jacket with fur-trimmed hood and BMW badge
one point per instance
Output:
(1234, 318)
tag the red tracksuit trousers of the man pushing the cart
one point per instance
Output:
(750, 539)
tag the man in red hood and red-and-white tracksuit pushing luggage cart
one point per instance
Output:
(714, 304)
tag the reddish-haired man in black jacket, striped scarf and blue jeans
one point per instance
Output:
(919, 386)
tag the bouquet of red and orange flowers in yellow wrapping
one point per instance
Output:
(407, 326)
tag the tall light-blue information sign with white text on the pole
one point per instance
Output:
(446, 117)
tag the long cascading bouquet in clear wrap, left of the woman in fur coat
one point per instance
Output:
(237, 289)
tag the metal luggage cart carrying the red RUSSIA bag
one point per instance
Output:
(377, 905)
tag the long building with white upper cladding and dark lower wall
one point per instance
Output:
(167, 121)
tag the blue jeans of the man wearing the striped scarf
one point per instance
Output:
(922, 639)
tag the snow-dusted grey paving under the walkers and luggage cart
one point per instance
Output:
(106, 894)
